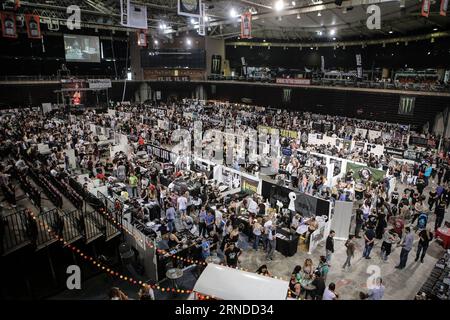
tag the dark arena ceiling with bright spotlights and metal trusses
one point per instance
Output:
(298, 20)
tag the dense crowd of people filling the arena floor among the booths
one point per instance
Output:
(388, 217)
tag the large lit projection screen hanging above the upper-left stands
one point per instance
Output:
(81, 48)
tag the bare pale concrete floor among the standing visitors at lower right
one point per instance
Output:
(400, 284)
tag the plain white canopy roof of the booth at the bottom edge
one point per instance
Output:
(226, 283)
